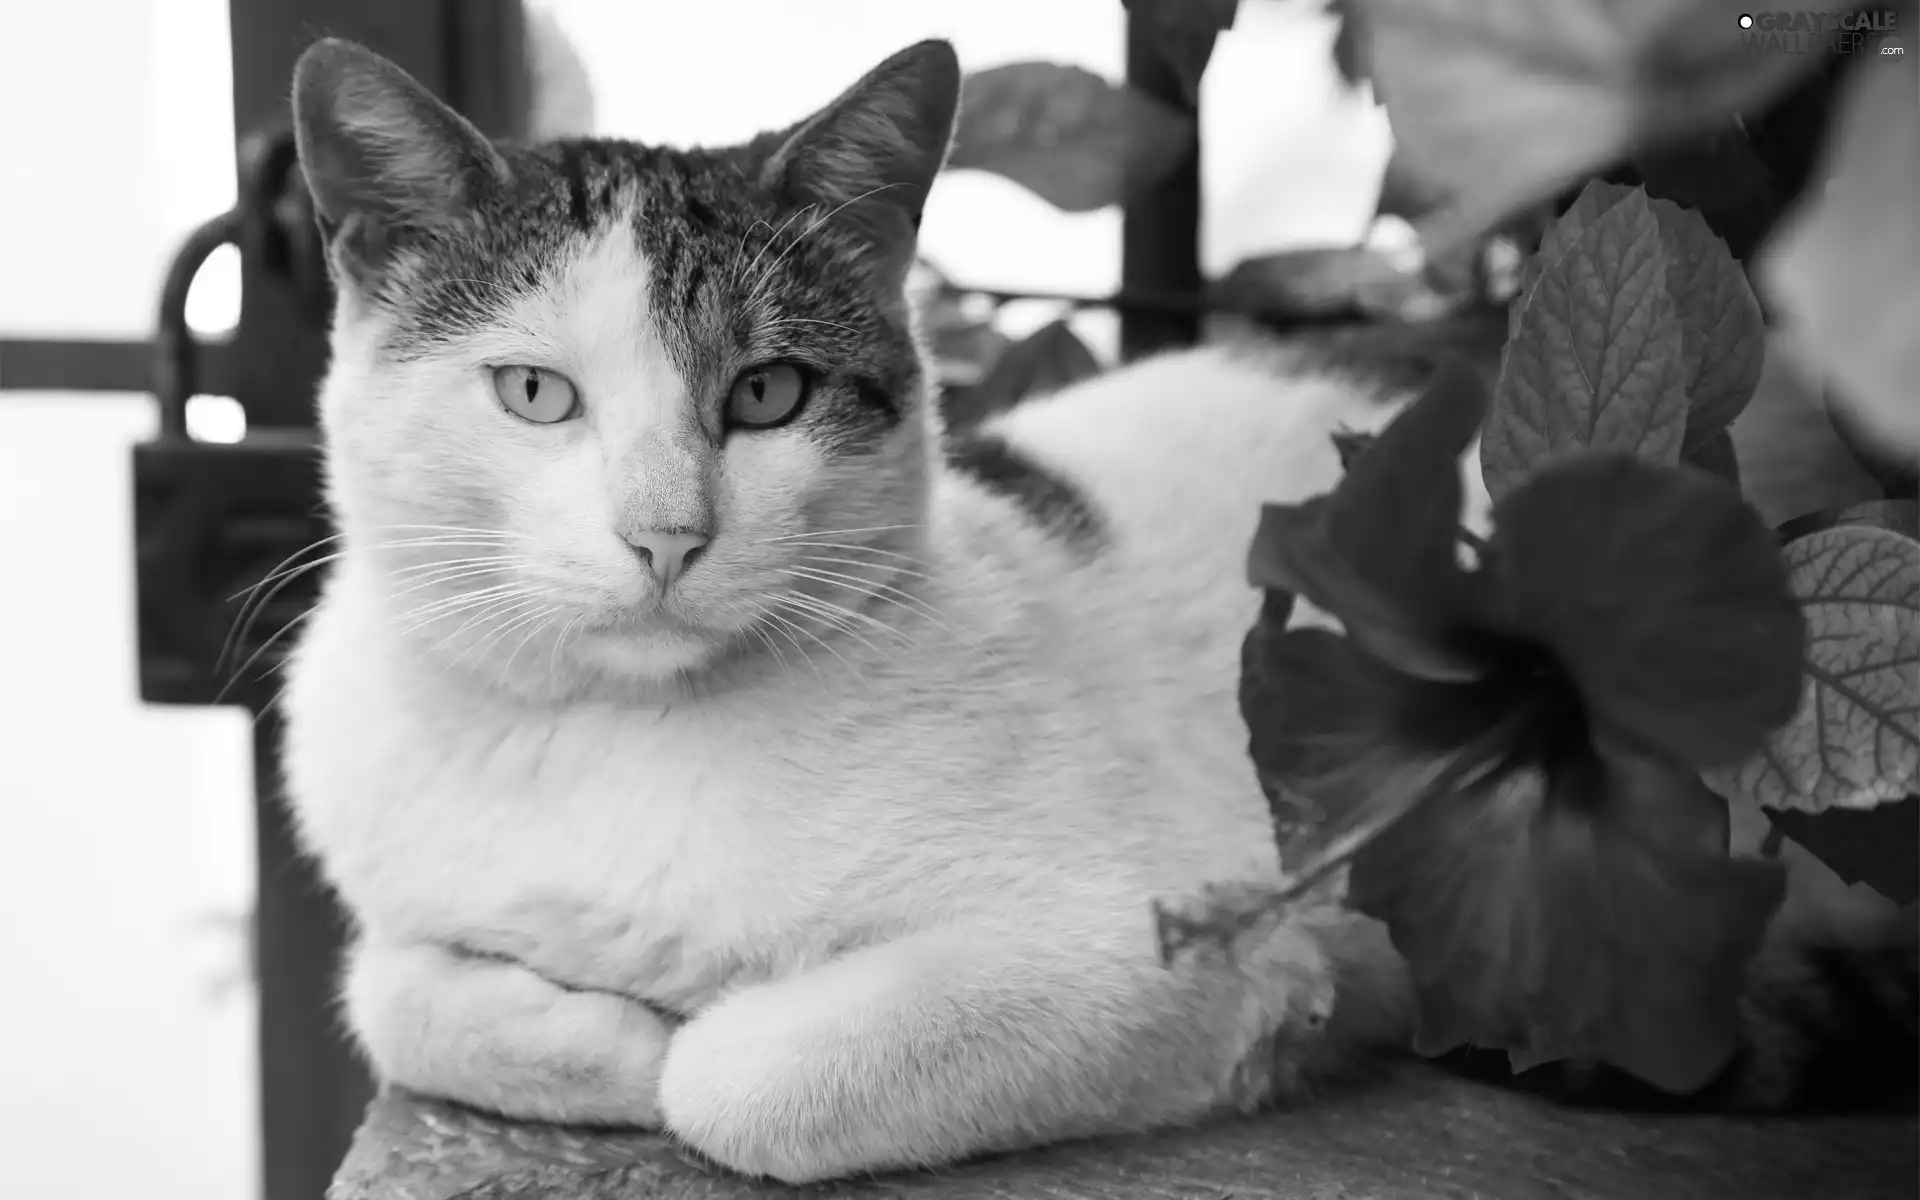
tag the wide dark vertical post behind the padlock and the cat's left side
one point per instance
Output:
(314, 1088)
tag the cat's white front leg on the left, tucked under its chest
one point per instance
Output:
(496, 1036)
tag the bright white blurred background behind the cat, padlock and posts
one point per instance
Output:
(130, 1061)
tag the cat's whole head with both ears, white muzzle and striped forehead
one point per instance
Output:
(613, 410)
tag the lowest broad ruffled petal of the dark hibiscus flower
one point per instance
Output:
(1589, 915)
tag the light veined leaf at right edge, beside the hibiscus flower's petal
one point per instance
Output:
(1856, 736)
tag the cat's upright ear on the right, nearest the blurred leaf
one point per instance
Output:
(875, 153)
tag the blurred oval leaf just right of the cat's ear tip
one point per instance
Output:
(1067, 135)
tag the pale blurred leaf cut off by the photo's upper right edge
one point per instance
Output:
(1846, 266)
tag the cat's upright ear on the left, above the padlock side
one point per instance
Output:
(381, 153)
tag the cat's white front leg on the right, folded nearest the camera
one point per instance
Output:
(961, 1042)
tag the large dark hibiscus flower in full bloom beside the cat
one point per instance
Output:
(1506, 740)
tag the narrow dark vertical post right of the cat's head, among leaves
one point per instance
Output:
(1161, 229)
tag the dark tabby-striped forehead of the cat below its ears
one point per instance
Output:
(723, 270)
